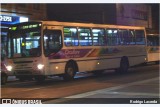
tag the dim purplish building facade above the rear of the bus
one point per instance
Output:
(134, 15)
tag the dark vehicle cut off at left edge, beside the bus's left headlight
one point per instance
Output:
(3, 72)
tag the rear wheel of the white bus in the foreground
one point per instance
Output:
(124, 65)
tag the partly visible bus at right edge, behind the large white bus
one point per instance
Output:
(153, 48)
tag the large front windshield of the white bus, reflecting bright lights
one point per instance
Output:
(24, 41)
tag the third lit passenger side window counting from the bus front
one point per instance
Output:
(98, 37)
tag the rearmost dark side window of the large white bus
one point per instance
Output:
(140, 37)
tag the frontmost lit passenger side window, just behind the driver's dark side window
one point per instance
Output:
(70, 36)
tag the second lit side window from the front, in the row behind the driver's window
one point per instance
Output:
(85, 38)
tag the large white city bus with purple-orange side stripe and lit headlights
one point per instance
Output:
(52, 48)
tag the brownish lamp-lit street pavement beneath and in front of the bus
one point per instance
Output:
(139, 82)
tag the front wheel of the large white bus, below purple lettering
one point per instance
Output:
(70, 71)
